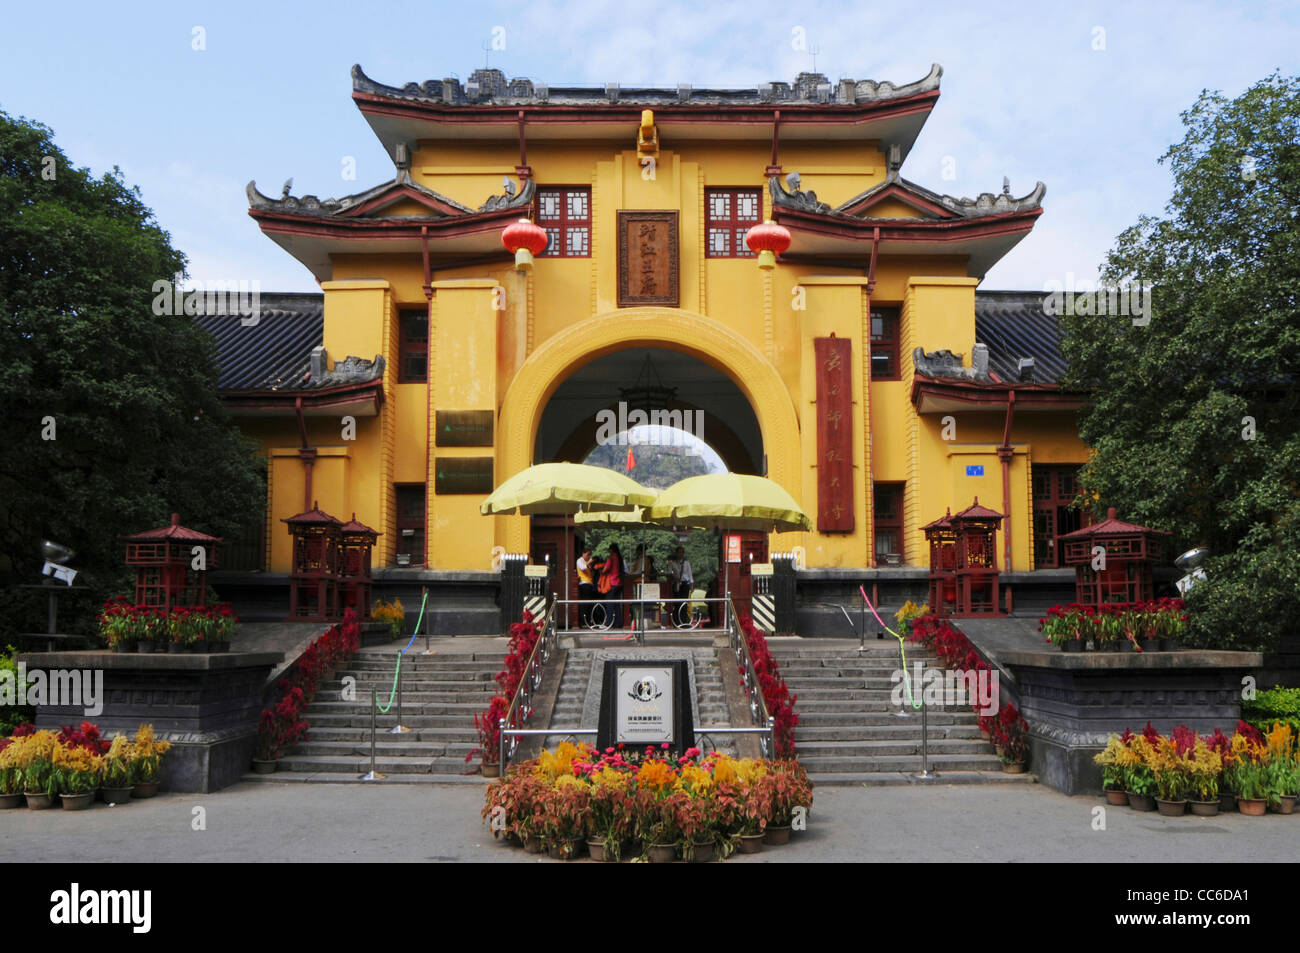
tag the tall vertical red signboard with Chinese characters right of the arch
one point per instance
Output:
(834, 435)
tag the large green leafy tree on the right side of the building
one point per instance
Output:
(1195, 418)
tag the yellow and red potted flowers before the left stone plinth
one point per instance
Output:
(77, 763)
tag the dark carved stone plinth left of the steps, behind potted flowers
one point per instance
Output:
(207, 707)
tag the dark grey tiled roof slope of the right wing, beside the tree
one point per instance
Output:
(1016, 326)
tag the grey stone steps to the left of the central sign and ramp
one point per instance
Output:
(440, 698)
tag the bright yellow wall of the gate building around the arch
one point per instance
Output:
(504, 343)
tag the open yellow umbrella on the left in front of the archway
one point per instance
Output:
(564, 490)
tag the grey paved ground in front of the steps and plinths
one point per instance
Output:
(301, 822)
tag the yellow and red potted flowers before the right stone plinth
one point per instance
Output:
(1185, 768)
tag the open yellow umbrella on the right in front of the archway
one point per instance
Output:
(730, 501)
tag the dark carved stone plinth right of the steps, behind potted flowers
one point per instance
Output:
(1074, 703)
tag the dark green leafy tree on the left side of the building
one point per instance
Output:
(138, 427)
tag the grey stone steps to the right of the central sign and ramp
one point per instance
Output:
(851, 734)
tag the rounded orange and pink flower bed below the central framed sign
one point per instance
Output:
(631, 802)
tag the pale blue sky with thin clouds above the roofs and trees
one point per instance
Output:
(1026, 94)
